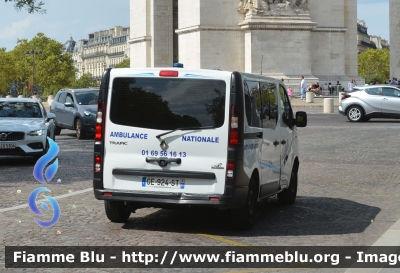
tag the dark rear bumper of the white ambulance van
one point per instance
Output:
(234, 197)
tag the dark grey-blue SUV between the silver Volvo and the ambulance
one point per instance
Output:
(76, 109)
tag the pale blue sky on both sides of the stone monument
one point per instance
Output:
(81, 17)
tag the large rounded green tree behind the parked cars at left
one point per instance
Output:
(53, 68)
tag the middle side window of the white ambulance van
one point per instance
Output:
(269, 109)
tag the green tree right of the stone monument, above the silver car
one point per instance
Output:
(374, 65)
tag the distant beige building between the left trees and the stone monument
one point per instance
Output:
(102, 49)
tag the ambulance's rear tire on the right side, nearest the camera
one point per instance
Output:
(244, 218)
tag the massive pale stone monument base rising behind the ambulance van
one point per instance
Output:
(283, 39)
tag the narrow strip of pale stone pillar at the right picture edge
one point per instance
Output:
(394, 7)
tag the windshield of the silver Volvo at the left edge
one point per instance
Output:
(20, 110)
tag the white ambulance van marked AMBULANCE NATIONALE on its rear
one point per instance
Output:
(168, 137)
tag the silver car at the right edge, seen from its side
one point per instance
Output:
(371, 101)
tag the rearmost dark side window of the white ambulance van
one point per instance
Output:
(251, 96)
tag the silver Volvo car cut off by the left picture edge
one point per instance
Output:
(24, 127)
